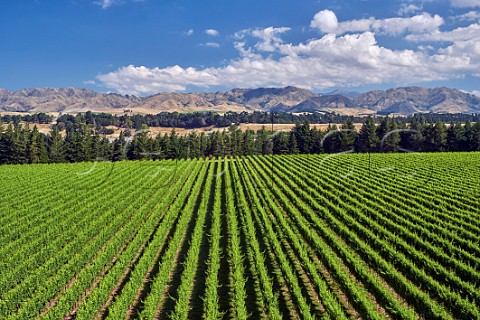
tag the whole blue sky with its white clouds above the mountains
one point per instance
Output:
(147, 46)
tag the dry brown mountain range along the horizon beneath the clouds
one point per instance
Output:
(402, 101)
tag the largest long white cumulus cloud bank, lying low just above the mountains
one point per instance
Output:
(349, 60)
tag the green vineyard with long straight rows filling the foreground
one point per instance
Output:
(380, 236)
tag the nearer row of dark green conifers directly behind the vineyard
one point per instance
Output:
(83, 142)
